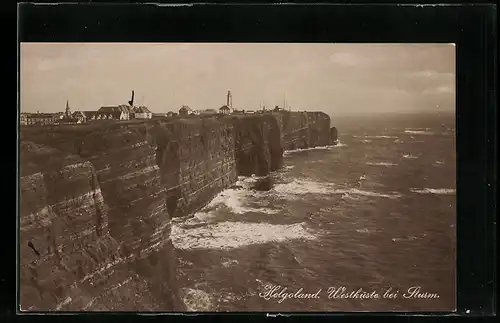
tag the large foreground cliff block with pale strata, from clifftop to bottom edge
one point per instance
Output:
(107, 215)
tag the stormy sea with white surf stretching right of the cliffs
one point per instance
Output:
(367, 224)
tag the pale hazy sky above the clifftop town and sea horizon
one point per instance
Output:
(339, 79)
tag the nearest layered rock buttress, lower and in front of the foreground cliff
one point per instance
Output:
(69, 260)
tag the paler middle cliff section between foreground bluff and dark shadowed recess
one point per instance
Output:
(205, 163)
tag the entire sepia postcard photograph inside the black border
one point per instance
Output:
(237, 177)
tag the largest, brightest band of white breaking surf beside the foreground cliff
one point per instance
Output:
(230, 235)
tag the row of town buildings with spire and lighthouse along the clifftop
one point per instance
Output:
(128, 111)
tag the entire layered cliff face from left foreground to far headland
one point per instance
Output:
(96, 202)
